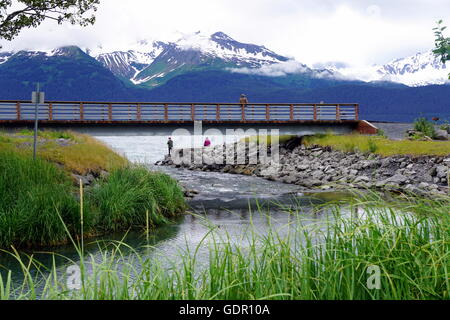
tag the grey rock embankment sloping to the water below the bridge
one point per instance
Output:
(318, 167)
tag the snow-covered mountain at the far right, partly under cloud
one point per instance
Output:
(418, 70)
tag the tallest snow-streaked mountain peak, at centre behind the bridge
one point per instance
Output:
(153, 63)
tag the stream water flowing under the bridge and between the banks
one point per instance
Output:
(231, 204)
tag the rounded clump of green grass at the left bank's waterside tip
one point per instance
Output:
(126, 195)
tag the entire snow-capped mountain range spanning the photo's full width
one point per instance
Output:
(151, 63)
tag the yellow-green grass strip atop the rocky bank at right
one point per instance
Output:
(380, 145)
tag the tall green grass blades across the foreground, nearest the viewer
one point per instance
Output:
(409, 246)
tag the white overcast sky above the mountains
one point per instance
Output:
(357, 32)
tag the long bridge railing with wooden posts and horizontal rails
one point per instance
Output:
(63, 111)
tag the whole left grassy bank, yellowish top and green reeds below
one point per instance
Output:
(36, 195)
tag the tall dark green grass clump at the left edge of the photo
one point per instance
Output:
(31, 193)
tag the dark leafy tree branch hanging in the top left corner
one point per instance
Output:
(18, 14)
